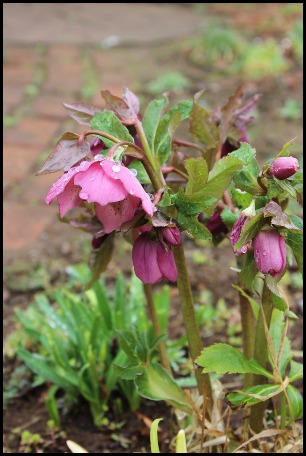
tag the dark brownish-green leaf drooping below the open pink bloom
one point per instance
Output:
(99, 259)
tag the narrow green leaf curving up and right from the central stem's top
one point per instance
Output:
(167, 126)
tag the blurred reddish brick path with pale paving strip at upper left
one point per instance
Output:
(47, 63)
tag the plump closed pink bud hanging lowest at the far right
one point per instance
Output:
(270, 252)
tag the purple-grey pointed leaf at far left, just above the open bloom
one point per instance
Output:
(67, 153)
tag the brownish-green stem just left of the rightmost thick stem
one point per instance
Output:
(248, 323)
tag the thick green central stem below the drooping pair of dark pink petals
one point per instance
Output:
(191, 326)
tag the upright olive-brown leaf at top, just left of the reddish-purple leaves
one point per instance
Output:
(202, 127)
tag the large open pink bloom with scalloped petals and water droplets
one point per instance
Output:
(113, 188)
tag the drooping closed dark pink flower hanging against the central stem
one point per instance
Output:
(152, 262)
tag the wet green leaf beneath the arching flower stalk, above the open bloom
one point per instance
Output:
(108, 122)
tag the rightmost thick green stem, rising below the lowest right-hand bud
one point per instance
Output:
(261, 356)
